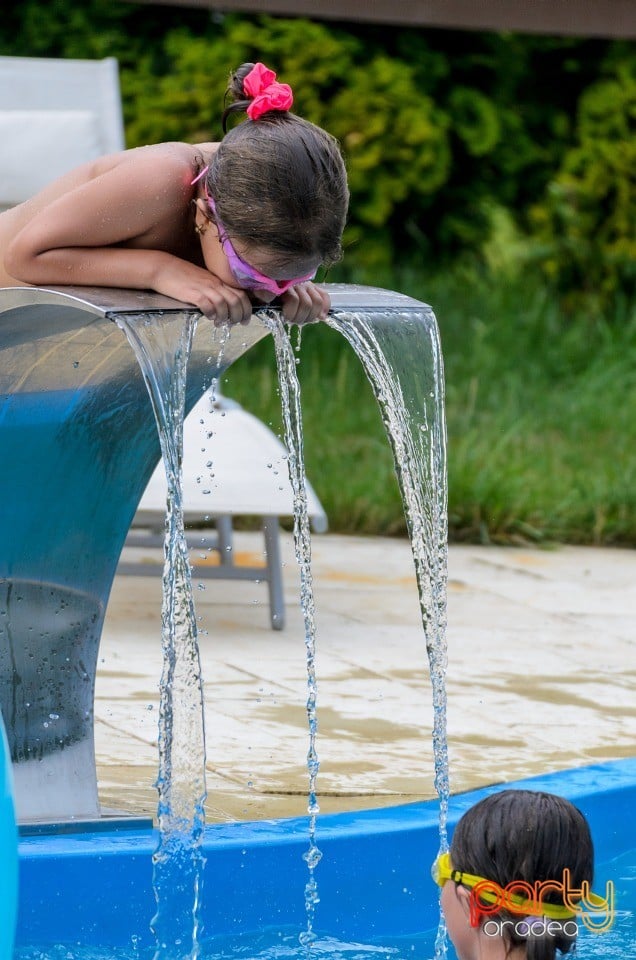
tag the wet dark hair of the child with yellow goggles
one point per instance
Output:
(526, 835)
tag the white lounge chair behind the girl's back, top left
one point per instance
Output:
(54, 115)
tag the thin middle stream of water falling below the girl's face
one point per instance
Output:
(292, 422)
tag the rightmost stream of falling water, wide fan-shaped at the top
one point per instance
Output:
(392, 346)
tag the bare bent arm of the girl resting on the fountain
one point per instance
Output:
(78, 238)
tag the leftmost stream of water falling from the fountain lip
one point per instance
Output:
(163, 350)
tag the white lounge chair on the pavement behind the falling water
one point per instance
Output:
(238, 470)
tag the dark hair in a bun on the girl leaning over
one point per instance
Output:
(279, 182)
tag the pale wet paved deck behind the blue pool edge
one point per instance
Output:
(541, 676)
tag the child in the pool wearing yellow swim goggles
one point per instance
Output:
(521, 837)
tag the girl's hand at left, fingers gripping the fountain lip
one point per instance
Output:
(215, 299)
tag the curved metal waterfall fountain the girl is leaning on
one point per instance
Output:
(78, 441)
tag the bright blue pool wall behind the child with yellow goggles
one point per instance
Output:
(374, 878)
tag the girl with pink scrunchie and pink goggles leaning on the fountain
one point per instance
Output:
(217, 225)
